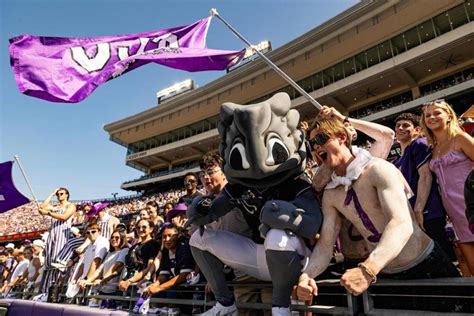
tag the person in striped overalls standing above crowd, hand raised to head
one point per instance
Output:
(61, 217)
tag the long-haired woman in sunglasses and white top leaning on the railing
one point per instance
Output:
(107, 276)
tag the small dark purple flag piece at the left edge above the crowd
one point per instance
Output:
(10, 197)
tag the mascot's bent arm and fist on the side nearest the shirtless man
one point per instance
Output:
(301, 216)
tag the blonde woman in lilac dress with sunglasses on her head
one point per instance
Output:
(452, 161)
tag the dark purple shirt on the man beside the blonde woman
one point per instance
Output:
(416, 155)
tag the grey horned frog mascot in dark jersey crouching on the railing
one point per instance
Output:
(264, 157)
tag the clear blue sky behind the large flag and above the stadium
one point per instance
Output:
(65, 144)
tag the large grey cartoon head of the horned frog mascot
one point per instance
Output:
(260, 143)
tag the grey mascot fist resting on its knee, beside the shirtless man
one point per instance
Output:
(281, 215)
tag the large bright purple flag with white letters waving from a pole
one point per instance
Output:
(69, 69)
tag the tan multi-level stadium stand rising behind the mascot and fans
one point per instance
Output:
(372, 61)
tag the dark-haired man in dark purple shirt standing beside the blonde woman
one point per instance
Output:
(414, 165)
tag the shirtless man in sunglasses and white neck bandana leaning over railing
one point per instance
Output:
(370, 193)
